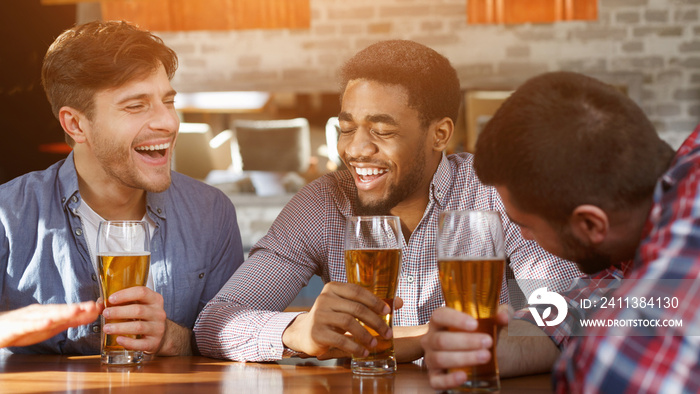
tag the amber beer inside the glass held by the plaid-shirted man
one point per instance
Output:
(473, 286)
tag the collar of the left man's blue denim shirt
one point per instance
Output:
(70, 193)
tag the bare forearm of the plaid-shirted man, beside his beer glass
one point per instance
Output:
(524, 349)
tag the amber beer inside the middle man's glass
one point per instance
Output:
(376, 270)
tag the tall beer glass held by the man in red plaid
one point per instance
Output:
(471, 262)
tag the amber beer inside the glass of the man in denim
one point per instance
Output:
(118, 273)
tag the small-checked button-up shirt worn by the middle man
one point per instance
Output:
(244, 321)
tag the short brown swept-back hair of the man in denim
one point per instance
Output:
(96, 56)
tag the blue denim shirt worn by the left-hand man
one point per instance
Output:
(44, 258)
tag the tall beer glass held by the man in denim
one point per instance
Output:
(123, 253)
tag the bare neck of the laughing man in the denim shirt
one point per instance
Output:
(105, 195)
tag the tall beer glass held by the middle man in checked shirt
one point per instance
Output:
(373, 260)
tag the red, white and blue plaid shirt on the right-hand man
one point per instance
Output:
(635, 359)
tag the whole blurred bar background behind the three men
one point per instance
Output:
(258, 87)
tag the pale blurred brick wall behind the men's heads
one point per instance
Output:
(649, 45)
